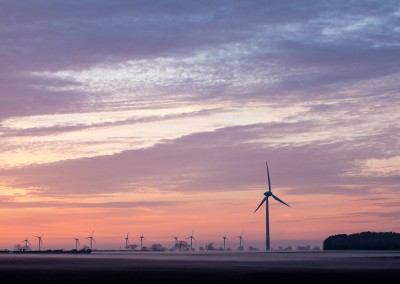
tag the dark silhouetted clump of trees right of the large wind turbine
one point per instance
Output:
(364, 241)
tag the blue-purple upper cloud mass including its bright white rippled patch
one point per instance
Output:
(202, 50)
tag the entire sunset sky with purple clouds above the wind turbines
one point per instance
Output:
(157, 118)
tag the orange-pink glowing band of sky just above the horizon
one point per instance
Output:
(209, 215)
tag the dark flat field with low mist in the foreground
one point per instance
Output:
(150, 267)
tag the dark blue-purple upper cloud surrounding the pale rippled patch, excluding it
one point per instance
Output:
(315, 44)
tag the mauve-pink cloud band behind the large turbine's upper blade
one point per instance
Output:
(229, 159)
